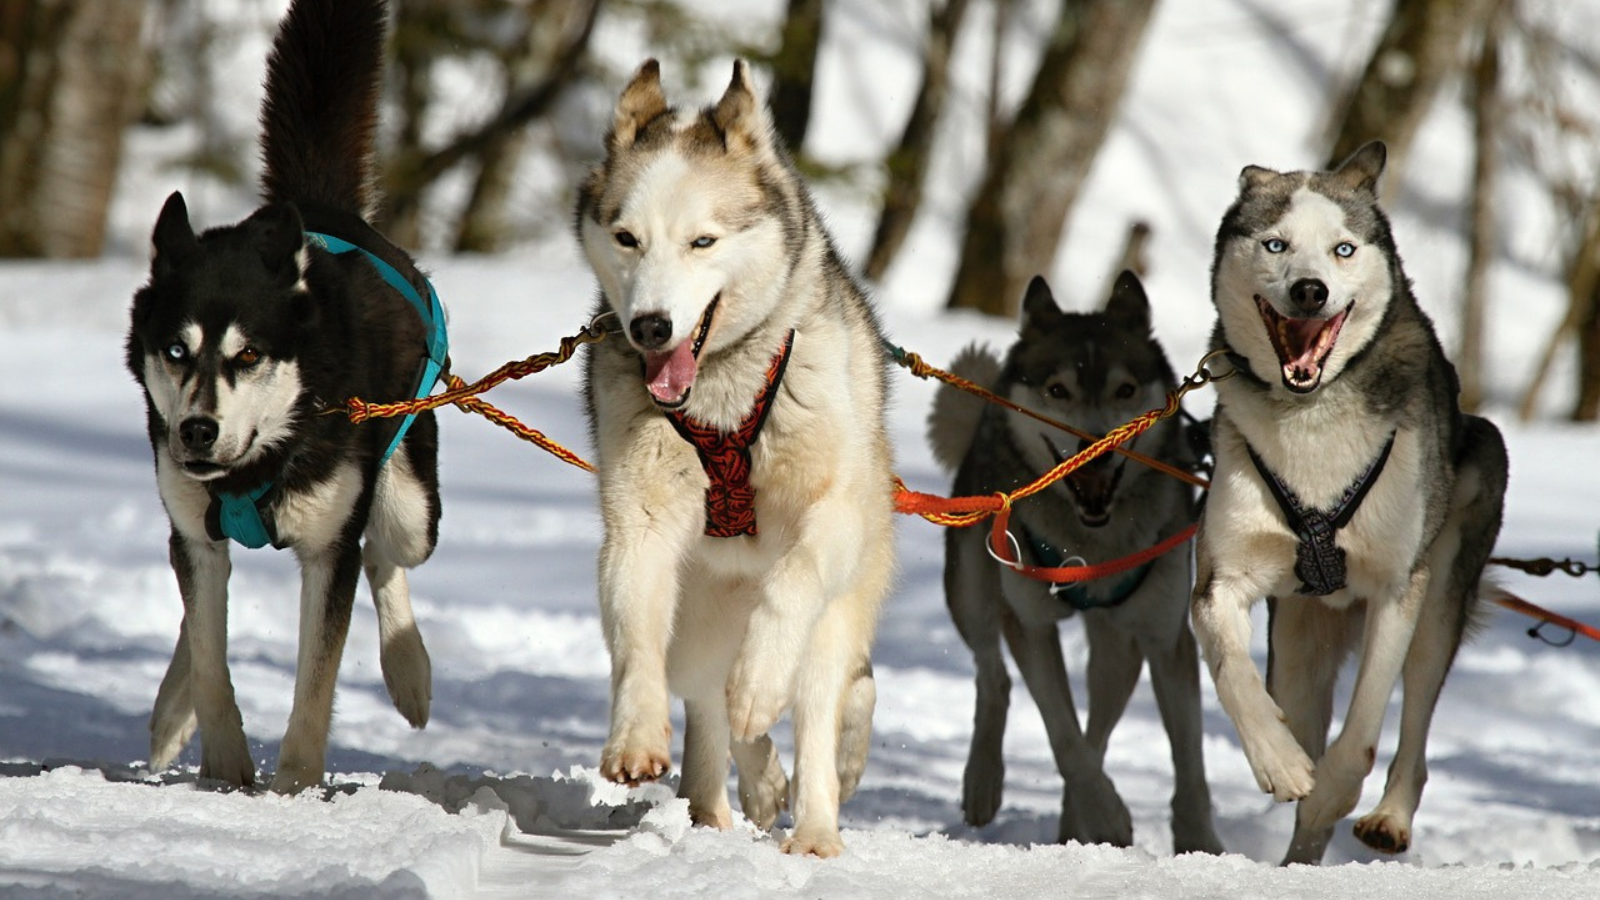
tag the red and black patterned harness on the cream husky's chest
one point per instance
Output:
(726, 457)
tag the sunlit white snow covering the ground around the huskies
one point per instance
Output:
(498, 795)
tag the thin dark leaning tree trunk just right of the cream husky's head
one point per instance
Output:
(908, 166)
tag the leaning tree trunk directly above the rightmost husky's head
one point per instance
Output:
(1418, 52)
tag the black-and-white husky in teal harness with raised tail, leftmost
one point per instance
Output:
(244, 335)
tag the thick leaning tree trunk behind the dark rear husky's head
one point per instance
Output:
(1015, 223)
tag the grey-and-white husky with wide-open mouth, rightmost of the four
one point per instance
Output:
(1350, 491)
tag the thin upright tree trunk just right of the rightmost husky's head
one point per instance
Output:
(1481, 236)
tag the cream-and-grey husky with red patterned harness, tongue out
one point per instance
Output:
(745, 468)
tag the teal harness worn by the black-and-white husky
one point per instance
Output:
(247, 518)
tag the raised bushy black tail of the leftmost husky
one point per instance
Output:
(321, 115)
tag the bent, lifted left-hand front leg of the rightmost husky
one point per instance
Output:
(1222, 619)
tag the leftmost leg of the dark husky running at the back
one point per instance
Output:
(972, 593)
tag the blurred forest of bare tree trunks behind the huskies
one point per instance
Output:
(78, 76)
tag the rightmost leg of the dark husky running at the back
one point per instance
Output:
(1175, 675)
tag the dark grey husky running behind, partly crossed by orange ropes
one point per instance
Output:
(1097, 372)
